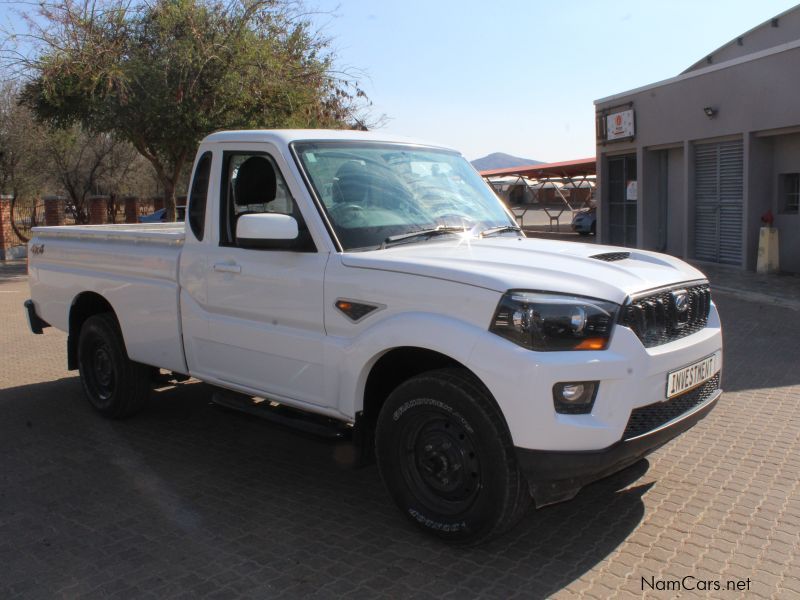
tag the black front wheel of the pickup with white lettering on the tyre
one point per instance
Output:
(446, 458)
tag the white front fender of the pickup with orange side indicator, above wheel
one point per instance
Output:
(416, 311)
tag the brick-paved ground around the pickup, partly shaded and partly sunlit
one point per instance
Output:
(187, 500)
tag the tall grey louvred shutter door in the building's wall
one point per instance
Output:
(718, 185)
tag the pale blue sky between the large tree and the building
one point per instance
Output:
(521, 77)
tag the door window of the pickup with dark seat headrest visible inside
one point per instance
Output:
(252, 183)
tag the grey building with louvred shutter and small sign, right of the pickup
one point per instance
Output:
(689, 165)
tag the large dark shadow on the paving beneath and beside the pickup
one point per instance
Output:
(188, 498)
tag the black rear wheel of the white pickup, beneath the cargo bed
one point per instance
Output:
(115, 386)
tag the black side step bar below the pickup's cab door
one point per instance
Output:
(283, 415)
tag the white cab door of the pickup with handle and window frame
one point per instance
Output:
(264, 306)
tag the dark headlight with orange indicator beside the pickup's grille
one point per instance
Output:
(542, 321)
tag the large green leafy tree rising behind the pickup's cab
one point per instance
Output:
(164, 74)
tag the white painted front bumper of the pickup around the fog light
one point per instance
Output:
(631, 377)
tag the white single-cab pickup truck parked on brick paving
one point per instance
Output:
(379, 285)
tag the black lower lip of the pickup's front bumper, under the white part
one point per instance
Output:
(555, 476)
